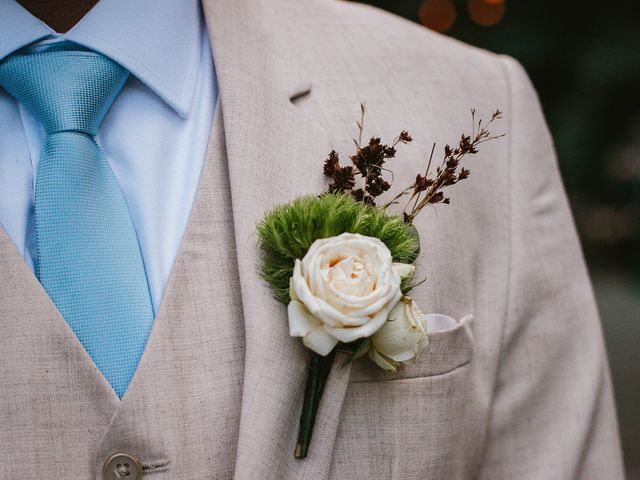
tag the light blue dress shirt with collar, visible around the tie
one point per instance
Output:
(155, 136)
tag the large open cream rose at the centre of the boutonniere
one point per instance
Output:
(343, 290)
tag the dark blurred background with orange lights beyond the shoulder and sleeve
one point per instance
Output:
(584, 59)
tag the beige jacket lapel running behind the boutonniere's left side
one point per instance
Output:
(274, 155)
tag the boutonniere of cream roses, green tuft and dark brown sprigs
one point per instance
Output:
(344, 266)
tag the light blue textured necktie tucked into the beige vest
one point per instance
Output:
(88, 256)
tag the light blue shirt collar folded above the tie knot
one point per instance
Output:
(158, 41)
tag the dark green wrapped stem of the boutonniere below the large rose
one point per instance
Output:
(319, 368)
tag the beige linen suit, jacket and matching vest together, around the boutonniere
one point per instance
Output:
(520, 392)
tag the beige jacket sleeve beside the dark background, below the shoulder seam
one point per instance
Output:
(553, 415)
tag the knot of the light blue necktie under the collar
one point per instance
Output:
(66, 90)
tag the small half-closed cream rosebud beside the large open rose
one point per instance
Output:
(402, 338)
